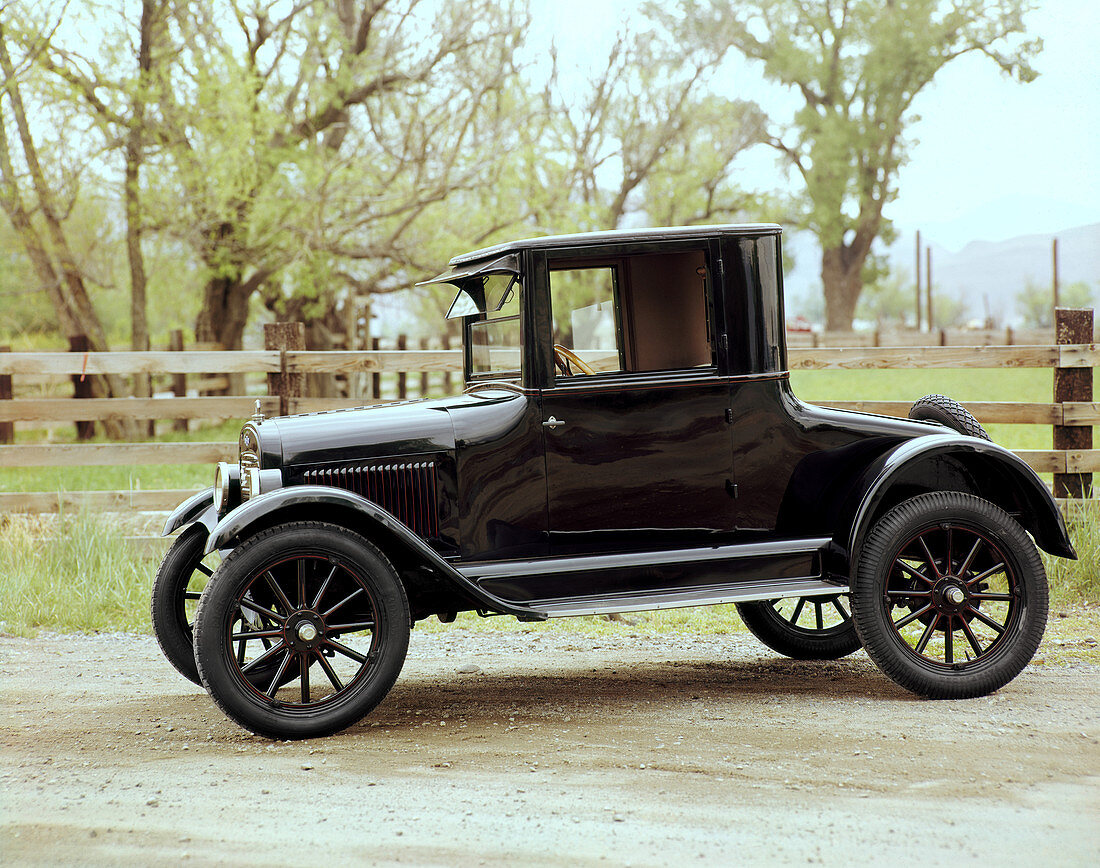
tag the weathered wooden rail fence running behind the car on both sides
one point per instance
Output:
(1072, 413)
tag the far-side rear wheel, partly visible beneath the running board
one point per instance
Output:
(804, 629)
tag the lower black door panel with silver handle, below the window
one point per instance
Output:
(639, 465)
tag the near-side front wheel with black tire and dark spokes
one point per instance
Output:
(348, 627)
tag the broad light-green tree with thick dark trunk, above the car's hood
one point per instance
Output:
(306, 146)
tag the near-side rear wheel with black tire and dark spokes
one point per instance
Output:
(950, 596)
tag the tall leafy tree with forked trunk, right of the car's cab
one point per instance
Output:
(857, 67)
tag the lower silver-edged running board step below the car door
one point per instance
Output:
(739, 592)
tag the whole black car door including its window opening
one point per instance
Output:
(635, 426)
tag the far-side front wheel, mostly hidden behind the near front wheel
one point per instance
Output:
(180, 581)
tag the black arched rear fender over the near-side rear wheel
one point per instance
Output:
(993, 471)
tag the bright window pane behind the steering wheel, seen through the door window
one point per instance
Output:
(587, 331)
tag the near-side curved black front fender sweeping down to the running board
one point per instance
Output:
(306, 502)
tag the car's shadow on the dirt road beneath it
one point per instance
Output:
(584, 694)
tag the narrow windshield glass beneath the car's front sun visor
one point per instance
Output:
(496, 342)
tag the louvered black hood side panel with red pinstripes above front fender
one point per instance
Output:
(405, 489)
